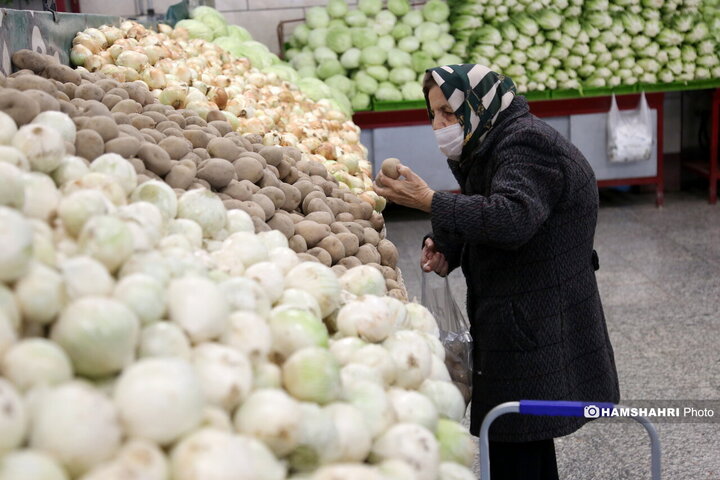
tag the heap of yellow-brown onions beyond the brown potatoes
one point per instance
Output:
(196, 75)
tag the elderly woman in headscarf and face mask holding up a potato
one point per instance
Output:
(522, 229)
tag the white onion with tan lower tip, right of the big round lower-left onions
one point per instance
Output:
(225, 374)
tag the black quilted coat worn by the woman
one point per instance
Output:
(522, 229)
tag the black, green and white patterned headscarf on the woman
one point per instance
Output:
(477, 95)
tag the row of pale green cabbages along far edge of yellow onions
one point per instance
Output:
(209, 24)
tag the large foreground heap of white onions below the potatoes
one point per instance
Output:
(128, 349)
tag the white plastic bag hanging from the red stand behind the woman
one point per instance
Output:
(630, 133)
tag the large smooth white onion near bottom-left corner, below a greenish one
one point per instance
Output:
(91, 417)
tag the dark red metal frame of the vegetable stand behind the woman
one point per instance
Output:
(548, 108)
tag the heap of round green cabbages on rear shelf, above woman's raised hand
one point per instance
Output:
(372, 52)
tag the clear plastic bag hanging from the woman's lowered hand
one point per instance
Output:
(454, 332)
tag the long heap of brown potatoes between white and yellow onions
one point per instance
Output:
(279, 187)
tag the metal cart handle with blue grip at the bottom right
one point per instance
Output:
(559, 409)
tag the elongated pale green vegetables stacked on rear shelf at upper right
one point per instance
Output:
(571, 44)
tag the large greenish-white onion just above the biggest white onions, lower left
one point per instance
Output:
(99, 334)
